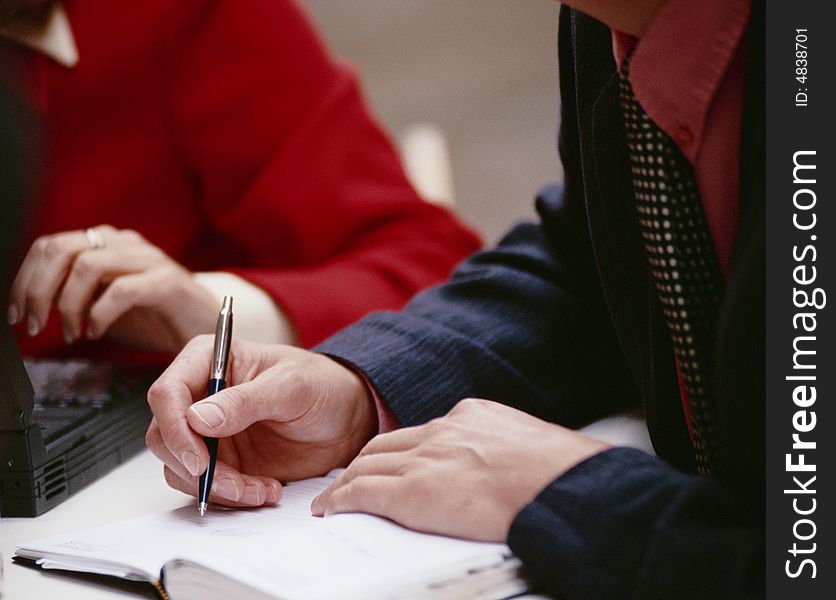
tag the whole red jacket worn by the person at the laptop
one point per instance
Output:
(226, 135)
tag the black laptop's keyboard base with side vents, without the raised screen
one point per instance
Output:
(64, 424)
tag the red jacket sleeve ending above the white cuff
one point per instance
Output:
(294, 173)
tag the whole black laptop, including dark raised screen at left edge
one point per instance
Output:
(62, 424)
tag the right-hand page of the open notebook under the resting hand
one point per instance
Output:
(348, 556)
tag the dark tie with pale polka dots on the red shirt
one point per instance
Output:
(682, 262)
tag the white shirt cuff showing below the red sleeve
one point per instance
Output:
(257, 317)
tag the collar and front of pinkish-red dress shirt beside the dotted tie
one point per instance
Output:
(687, 71)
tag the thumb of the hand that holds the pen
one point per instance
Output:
(233, 409)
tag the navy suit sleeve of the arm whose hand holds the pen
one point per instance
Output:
(507, 326)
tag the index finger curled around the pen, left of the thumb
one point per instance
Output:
(180, 385)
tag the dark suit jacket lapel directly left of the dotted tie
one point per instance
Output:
(618, 246)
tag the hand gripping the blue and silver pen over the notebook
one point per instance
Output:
(287, 414)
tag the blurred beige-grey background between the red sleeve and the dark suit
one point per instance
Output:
(483, 71)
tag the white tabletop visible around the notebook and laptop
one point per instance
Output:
(137, 488)
